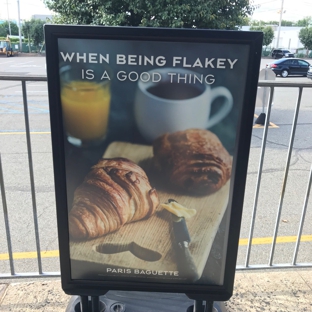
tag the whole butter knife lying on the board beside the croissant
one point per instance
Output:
(185, 261)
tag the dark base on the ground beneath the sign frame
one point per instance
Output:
(126, 301)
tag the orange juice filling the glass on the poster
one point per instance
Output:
(85, 107)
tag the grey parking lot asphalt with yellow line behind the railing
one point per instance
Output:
(16, 173)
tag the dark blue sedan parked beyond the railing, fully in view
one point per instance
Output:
(289, 66)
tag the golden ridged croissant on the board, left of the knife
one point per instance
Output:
(115, 192)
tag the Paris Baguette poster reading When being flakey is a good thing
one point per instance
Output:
(150, 132)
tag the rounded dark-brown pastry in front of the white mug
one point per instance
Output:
(194, 160)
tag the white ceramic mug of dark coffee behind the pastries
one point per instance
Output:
(164, 104)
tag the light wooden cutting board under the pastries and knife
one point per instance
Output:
(148, 244)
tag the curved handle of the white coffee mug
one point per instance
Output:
(225, 108)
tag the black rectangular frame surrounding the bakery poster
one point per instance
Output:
(195, 291)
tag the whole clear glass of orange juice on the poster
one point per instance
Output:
(85, 98)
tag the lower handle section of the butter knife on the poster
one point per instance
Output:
(186, 265)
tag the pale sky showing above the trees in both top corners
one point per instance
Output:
(293, 10)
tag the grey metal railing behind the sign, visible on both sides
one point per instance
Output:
(272, 85)
